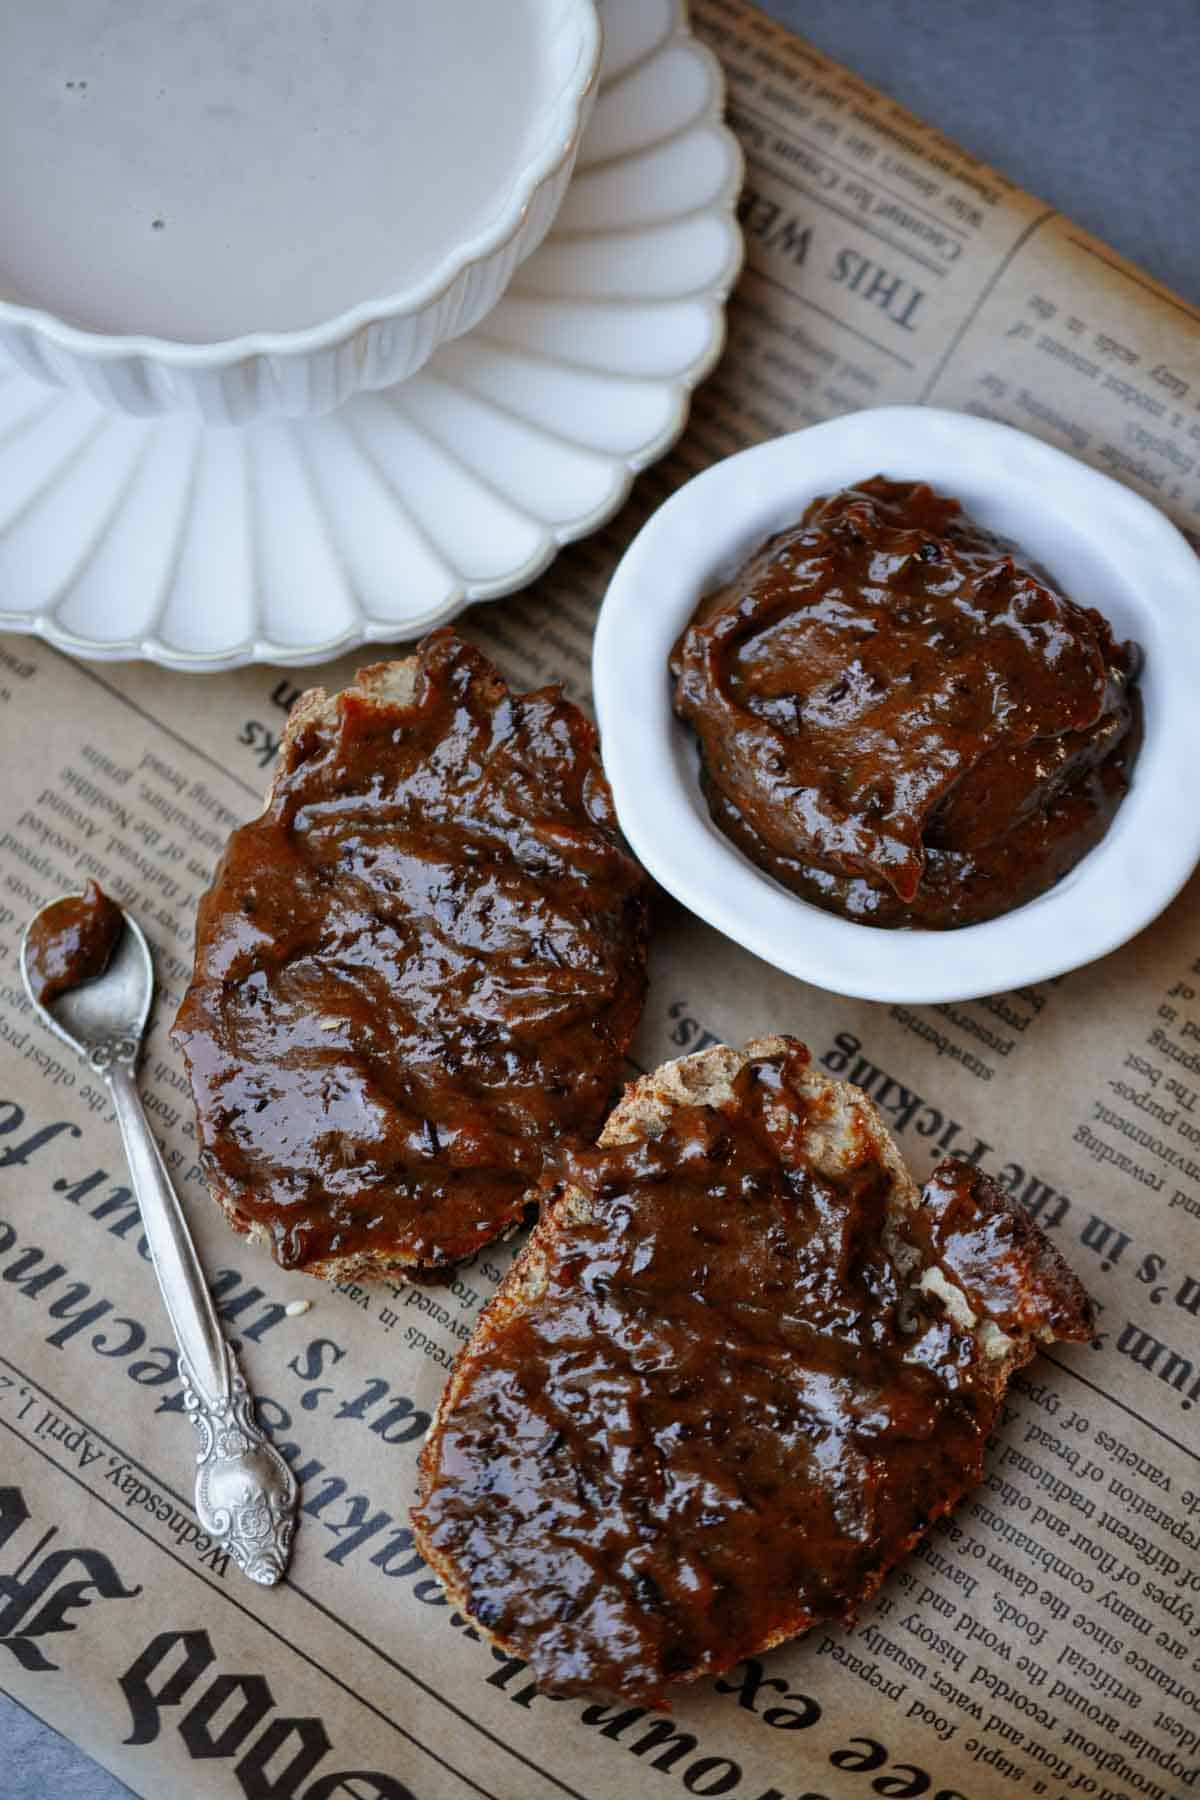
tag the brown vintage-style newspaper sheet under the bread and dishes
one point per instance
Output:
(1044, 1639)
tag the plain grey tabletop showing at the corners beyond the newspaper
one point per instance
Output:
(1088, 103)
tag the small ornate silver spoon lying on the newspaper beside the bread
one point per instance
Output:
(246, 1491)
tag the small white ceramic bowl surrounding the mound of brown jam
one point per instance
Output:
(1106, 548)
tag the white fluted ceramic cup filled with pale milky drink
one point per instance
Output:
(265, 210)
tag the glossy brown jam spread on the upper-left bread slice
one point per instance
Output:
(415, 971)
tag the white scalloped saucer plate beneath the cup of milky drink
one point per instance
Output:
(204, 548)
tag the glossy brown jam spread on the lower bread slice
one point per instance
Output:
(733, 1408)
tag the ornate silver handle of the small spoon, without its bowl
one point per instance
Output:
(246, 1491)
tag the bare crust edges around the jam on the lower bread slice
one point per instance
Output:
(843, 1126)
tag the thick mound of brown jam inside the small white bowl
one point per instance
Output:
(902, 719)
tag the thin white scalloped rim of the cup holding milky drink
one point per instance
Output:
(562, 129)
